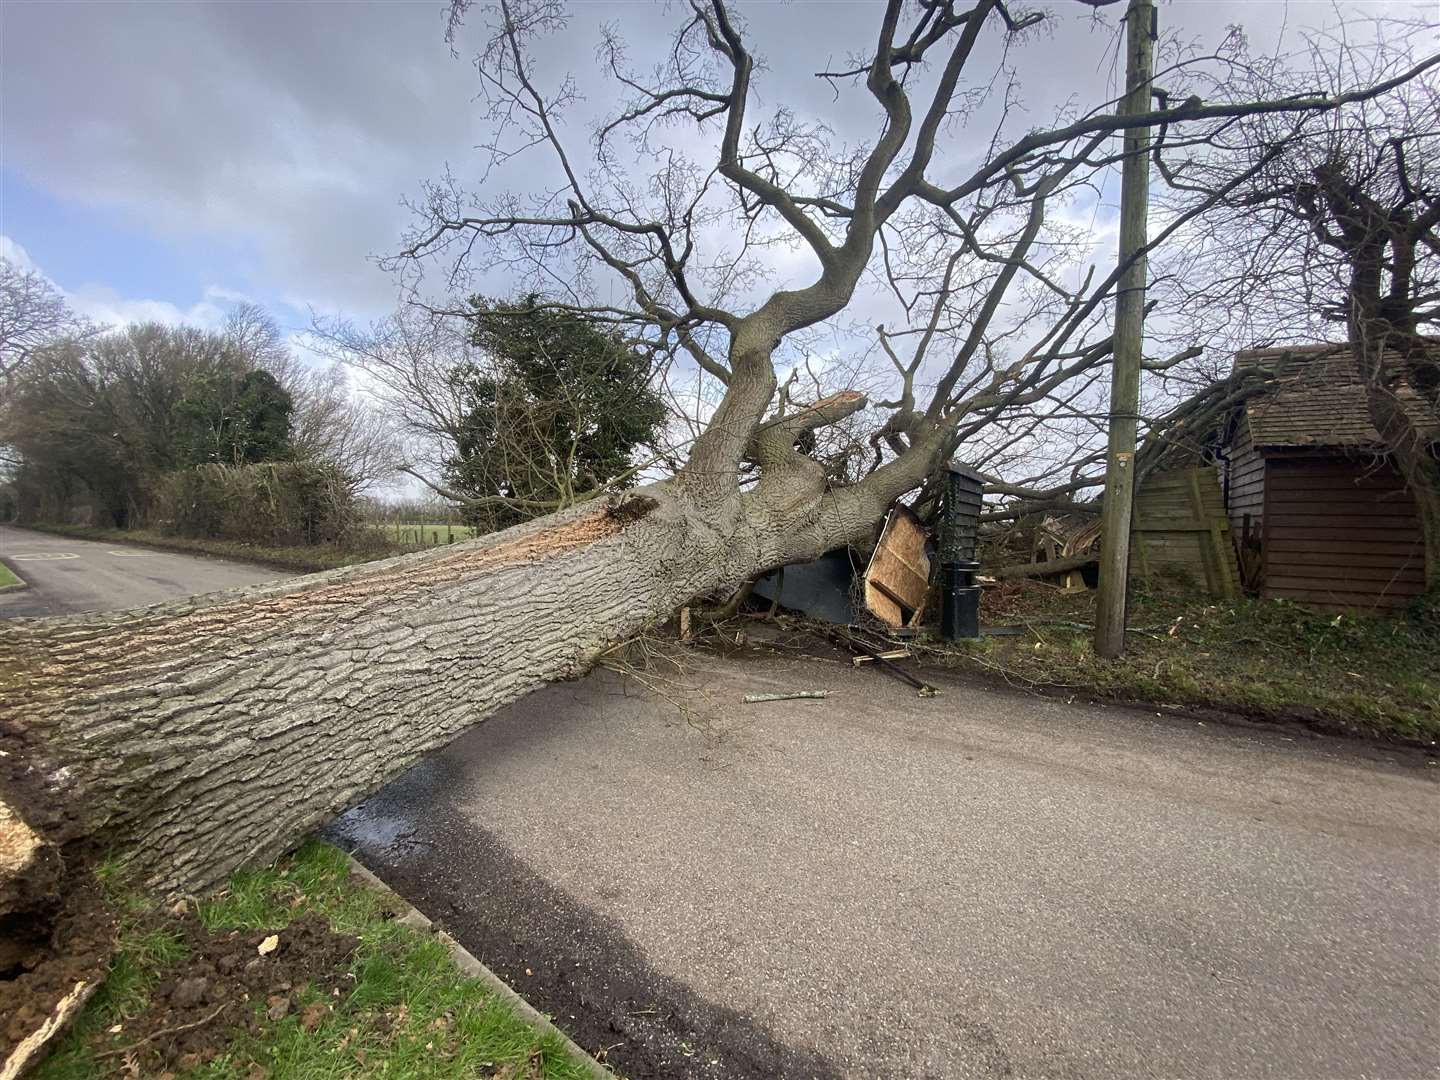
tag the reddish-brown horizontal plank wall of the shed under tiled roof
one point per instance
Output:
(1340, 534)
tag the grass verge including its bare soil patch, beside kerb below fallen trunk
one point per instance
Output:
(400, 1006)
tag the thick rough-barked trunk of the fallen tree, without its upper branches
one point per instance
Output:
(199, 737)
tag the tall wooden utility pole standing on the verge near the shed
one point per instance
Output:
(1130, 336)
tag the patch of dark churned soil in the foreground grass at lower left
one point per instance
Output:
(225, 986)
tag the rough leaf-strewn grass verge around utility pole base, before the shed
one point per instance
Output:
(1264, 659)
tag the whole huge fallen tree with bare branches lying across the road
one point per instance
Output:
(191, 739)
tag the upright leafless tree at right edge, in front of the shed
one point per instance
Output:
(1336, 234)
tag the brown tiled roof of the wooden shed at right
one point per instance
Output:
(1321, 401)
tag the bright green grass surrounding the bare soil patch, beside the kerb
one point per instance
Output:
(440, 1025)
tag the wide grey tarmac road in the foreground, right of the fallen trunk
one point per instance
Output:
(974, 886)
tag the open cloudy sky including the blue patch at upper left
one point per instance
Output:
(165, 159)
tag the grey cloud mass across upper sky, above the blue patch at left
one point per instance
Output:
(297, 127)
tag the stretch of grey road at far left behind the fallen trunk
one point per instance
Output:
(68, 577)
